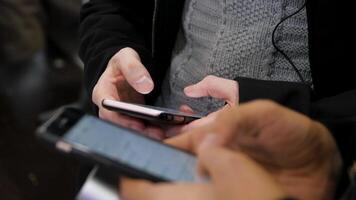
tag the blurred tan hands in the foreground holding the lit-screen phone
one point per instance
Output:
(259, 150)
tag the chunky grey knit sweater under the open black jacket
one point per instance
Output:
(232, 38)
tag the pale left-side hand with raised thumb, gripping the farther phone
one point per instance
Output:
(125, 79)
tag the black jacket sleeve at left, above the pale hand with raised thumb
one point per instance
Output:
(106, 26)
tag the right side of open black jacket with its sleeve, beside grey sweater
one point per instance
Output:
(333, 100)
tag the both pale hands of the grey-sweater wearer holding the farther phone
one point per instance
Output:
(126, 79)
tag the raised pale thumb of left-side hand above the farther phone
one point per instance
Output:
(129, 64)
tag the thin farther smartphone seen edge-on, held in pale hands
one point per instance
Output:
(150, 113)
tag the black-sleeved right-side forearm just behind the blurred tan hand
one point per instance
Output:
(337, 113)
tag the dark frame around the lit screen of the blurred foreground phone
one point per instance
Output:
(55, 140)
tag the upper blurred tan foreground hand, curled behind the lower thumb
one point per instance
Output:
(299, 152)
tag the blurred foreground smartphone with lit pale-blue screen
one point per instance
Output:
(124, 150)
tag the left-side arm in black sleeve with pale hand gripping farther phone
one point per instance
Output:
(115, 37)
